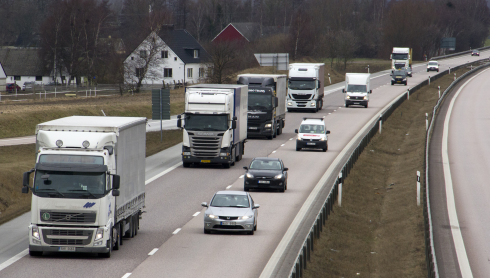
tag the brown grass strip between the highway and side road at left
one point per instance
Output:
(15, 160)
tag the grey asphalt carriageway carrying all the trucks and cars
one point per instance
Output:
(173, 219)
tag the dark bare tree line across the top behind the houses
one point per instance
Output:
(80, 35)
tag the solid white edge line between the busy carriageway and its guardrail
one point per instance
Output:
(288, 236)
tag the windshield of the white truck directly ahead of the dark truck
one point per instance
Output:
(202, 122)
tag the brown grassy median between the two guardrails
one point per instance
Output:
(379, 230)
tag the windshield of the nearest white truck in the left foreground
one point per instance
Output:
(69, 184)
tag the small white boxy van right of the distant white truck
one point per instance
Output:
(357, 89)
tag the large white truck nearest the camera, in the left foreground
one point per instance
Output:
(89, 184)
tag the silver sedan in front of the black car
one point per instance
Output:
(233, 211)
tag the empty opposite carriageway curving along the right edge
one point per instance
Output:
(459, 181)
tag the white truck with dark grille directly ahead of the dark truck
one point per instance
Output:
(214, 124)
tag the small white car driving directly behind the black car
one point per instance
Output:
(312, 134)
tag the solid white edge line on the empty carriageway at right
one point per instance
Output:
(464, 264)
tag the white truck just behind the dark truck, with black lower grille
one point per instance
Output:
(306, 86)
